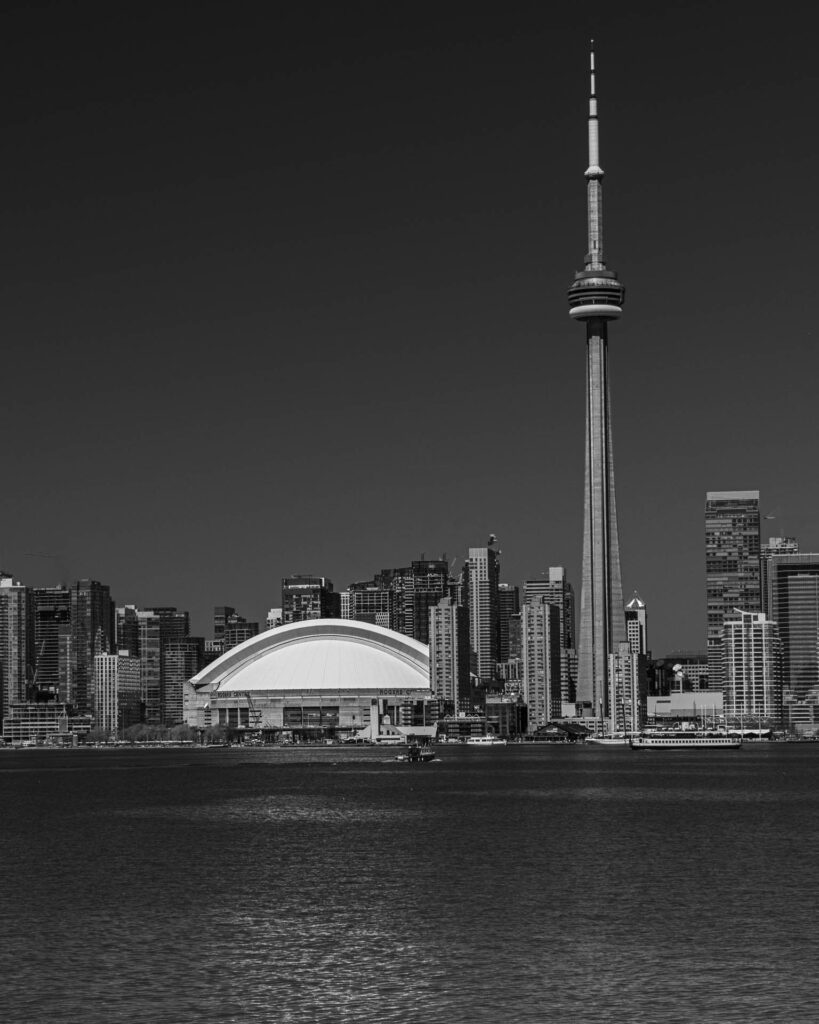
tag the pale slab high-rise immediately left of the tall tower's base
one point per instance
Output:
(541, 663)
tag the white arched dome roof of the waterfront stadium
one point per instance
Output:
(322, 655)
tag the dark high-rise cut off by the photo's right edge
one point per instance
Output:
(793, 602)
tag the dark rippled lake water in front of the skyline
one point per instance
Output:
(498, 885)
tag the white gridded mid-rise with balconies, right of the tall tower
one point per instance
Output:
(753, 690)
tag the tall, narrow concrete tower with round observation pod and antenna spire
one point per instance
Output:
(596, 297)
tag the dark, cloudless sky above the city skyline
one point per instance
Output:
(290, 295)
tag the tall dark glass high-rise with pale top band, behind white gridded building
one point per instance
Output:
(732, 567)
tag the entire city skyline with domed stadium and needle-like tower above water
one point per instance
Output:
(545, 658)
